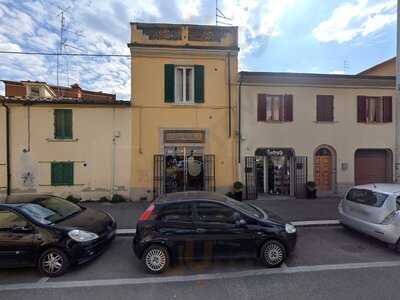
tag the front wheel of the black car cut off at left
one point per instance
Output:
(53, 262)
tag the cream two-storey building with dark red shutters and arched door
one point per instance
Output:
(336, 130)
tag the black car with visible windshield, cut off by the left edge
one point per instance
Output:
(51, 233)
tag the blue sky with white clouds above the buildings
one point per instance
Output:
(313, 36)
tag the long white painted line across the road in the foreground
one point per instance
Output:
(197, 277)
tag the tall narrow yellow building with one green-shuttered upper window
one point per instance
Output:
(184, 93)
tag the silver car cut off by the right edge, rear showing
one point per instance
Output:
(373, 209)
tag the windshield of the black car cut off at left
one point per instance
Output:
(51, 210)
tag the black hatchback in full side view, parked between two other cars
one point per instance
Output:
(200, 225)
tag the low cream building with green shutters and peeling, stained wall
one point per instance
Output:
(91, 159)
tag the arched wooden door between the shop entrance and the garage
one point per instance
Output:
(325, 168)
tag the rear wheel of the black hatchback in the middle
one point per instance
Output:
(156, 259)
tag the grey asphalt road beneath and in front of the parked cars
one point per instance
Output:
(329, 263)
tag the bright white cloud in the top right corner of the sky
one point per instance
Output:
(354, 19)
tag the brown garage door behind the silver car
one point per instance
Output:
(372, 166)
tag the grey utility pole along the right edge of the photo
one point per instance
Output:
(397, 106)
